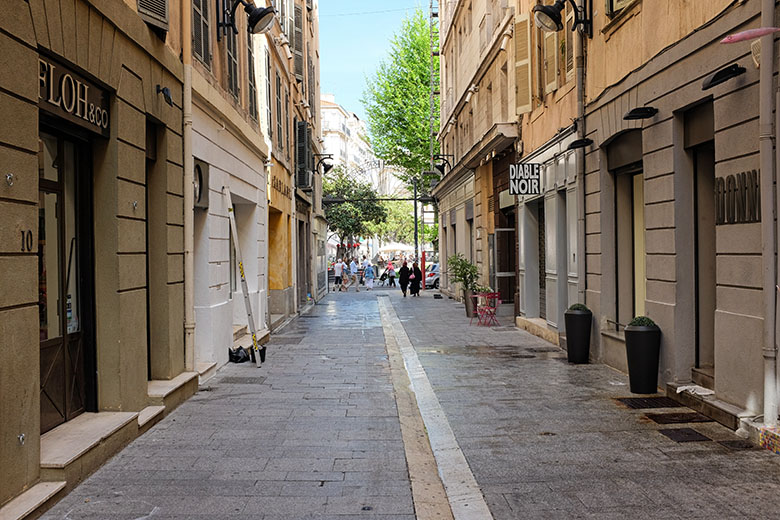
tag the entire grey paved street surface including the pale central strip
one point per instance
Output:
(328, 428)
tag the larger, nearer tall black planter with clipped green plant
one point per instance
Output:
(643, 347)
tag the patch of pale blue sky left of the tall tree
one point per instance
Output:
(354, 37)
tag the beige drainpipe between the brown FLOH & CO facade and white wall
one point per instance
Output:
(189, 195)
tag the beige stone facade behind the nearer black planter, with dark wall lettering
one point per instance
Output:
(667, 235)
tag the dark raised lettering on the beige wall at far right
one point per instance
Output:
(738, 198)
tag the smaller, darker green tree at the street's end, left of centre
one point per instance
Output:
(353, 218)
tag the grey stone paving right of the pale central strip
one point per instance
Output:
(546, 439)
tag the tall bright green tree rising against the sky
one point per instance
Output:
(397, 100)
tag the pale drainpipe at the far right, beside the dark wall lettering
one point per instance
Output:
(767, 214)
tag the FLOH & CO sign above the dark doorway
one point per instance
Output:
(66, 94)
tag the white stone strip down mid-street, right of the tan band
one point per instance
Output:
(463, 492)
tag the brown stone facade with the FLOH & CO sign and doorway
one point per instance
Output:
(92, 344)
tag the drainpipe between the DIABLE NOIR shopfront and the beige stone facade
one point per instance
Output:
(579, 63)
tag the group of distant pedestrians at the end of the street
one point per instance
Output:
(347, 275)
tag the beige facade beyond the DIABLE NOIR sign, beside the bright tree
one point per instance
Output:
(479, 134)
